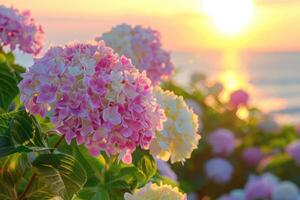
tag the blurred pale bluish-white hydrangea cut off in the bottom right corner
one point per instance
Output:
(286, 191)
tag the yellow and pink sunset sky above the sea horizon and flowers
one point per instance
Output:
(184, 24)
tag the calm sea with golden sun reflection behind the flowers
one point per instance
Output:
(271, 78)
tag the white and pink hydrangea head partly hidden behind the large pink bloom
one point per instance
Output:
(143, 47)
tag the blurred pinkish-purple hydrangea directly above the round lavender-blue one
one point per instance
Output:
(222, 142)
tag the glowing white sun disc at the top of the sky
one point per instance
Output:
(229, 16)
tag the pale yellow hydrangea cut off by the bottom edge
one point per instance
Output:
(156, 192)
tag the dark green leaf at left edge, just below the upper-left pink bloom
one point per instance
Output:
(8, 85)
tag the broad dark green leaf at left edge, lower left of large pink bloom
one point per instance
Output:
(19, 132)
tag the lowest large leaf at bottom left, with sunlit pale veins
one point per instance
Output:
(61, 173)
